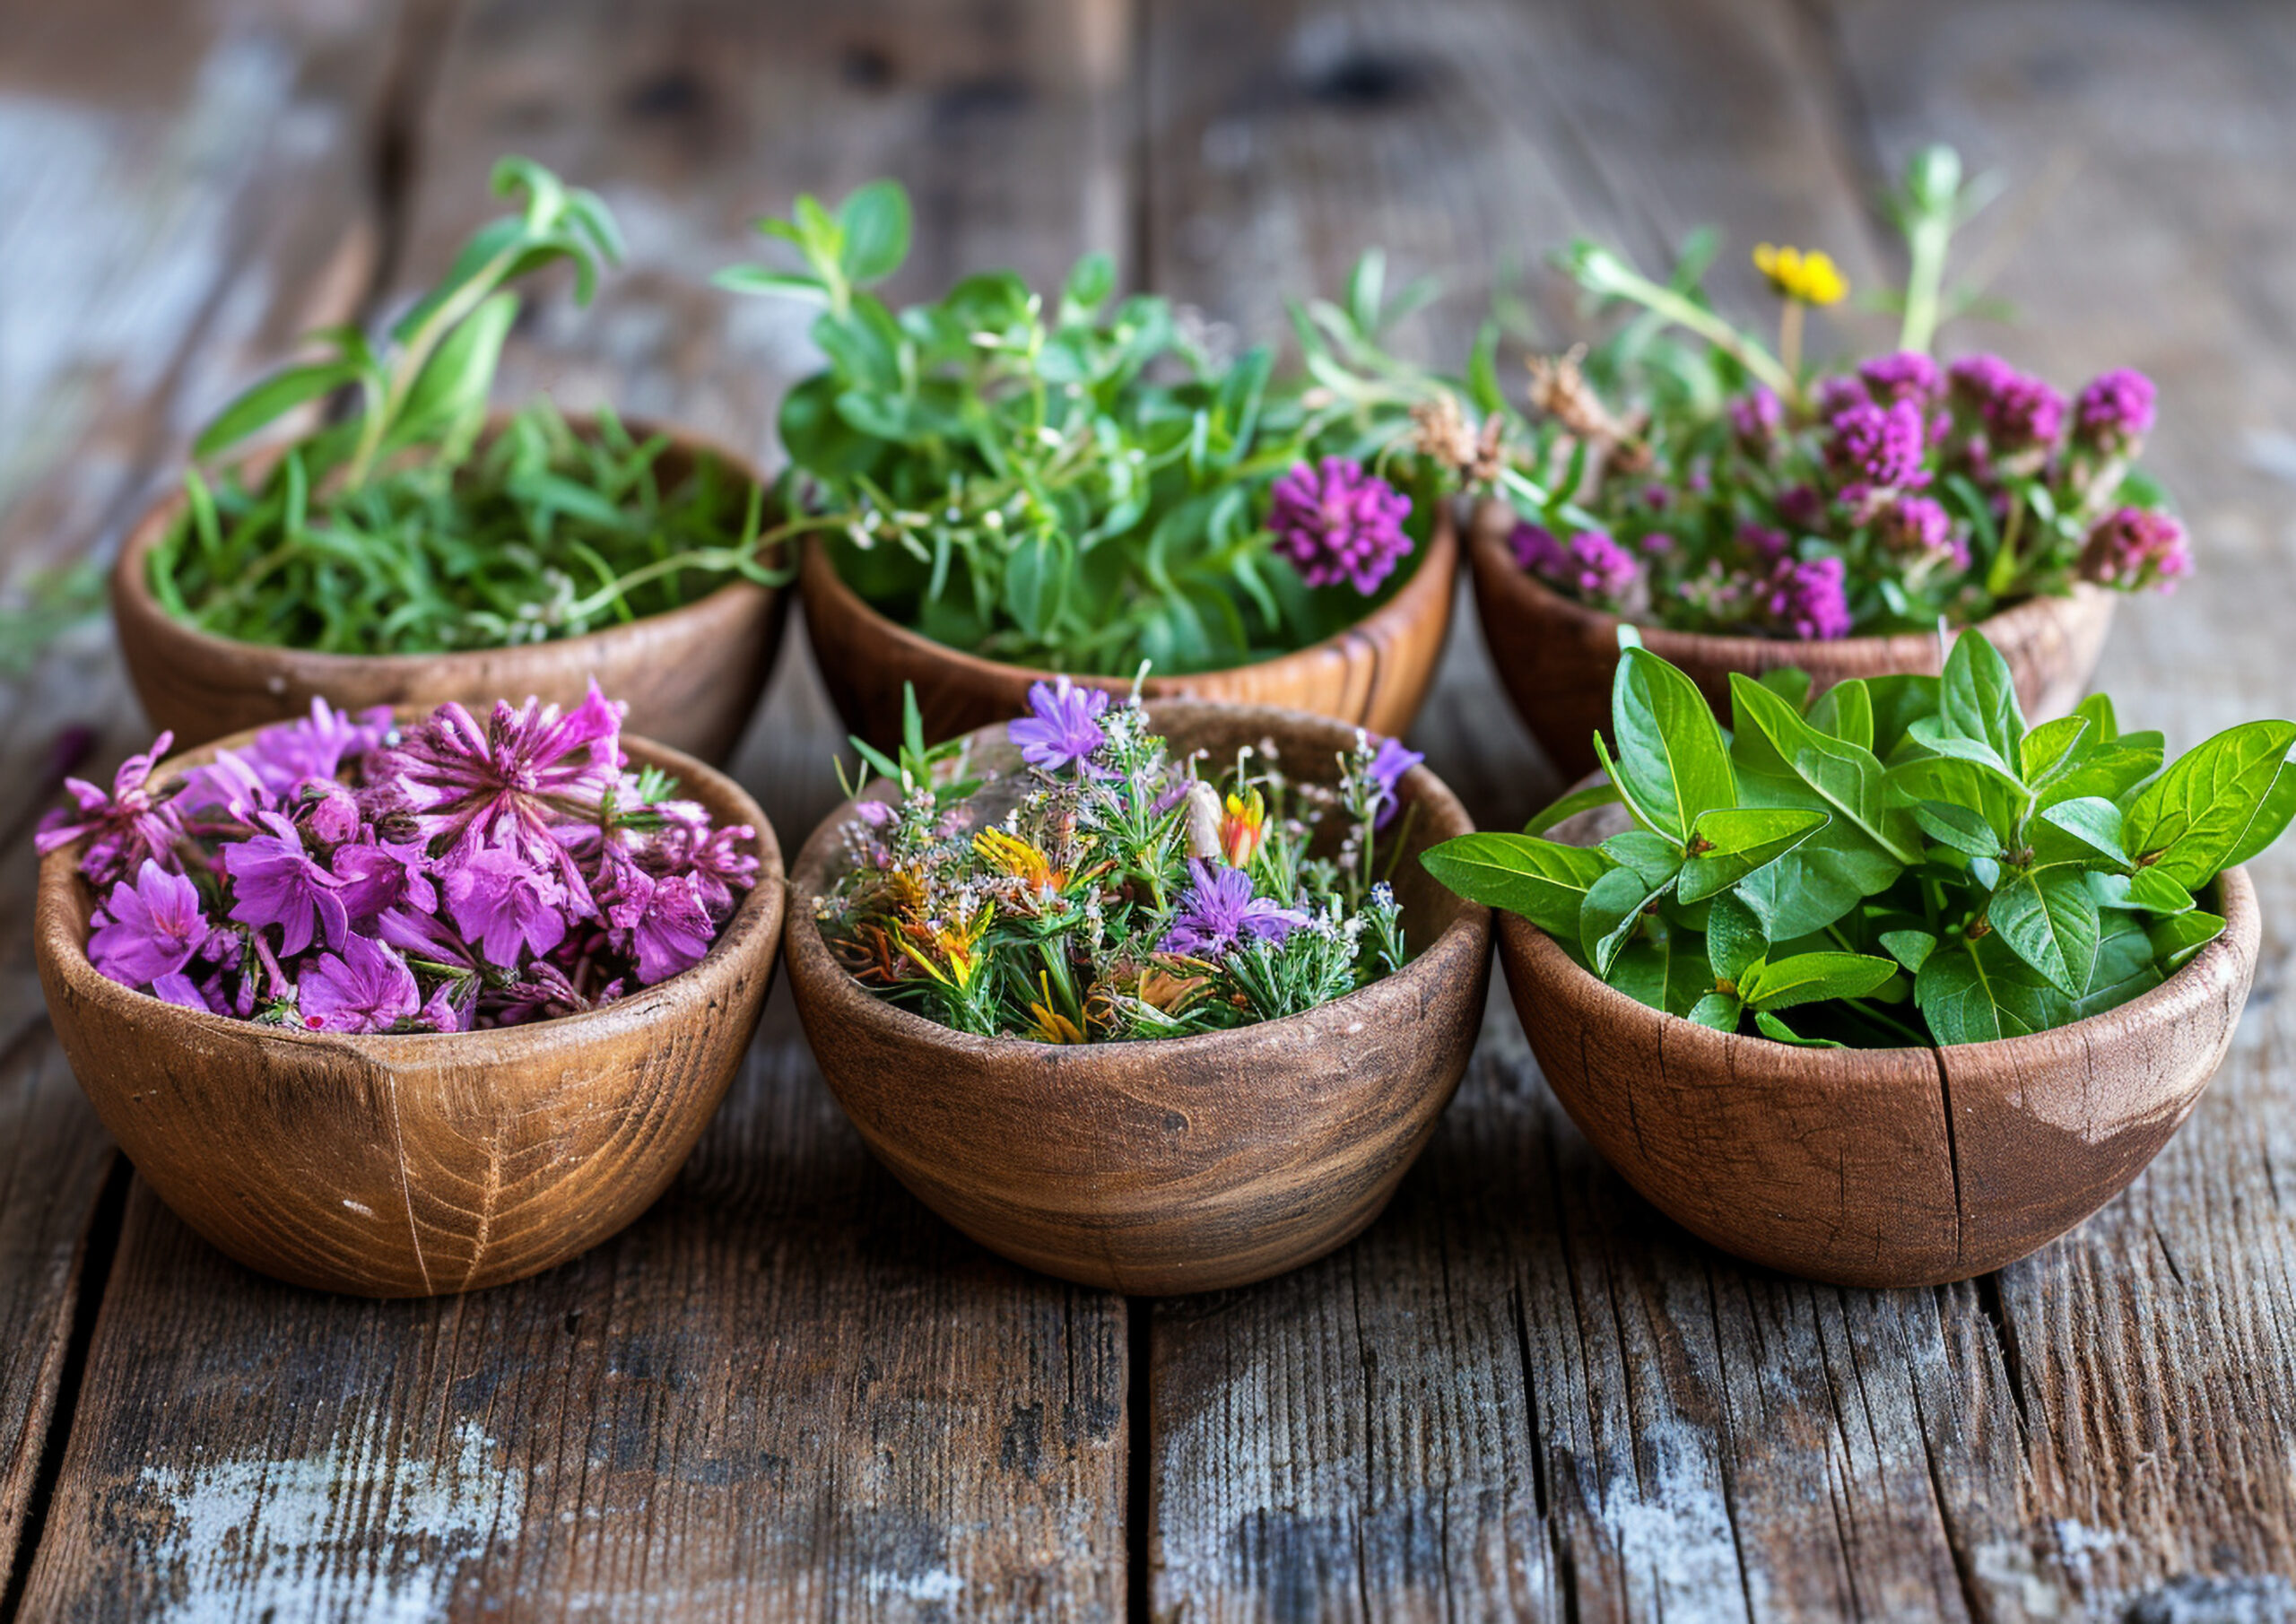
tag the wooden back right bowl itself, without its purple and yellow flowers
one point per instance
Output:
(1558, 658)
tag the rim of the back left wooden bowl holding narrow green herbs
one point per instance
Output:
(134, 603)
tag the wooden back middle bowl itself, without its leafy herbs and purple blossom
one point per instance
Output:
(1370, 676)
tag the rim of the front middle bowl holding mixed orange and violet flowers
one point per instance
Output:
(848, 1000)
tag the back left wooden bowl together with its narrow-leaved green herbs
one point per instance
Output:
(417, 548)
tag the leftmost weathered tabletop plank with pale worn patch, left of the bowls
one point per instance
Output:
(178, 187)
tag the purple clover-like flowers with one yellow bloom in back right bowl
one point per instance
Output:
(1746, 495)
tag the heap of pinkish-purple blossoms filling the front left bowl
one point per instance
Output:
(343, 876)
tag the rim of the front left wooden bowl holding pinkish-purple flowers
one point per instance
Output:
(65, 897)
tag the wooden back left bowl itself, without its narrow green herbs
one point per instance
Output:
(692, 676)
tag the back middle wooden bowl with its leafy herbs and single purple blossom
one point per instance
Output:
(1004, 486)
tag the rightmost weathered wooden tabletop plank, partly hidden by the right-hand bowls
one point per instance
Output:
(2152, 1350)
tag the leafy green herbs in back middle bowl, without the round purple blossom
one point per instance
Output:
(1078, 481)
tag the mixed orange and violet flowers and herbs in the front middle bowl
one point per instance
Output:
(1108, 890)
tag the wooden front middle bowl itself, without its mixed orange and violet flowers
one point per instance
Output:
(1184, 1163)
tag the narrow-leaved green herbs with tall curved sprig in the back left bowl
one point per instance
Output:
(391, 529)
